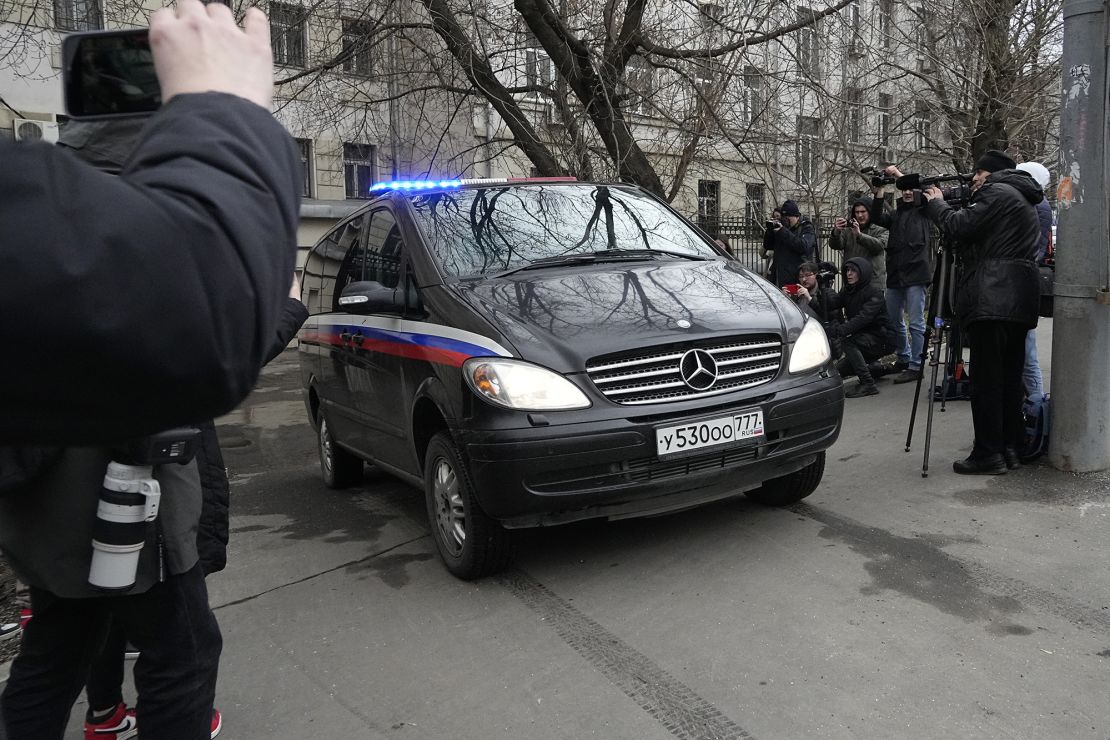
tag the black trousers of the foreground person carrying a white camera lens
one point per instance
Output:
(171, 625)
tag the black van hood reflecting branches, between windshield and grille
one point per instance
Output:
(562, 317)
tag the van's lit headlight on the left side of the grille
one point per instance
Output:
(523, 387)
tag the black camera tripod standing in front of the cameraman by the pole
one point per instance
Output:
(940, 333)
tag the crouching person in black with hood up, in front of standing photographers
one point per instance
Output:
(867, 332)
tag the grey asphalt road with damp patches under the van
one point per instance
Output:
(885, 606)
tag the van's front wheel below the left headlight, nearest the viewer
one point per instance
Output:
(471, 544)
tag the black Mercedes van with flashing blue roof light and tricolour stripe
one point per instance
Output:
(538, 352)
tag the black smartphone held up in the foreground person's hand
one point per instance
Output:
(109, 75)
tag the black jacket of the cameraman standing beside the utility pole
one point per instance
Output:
(997, 238)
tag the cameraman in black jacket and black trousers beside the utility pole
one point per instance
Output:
(997, 297)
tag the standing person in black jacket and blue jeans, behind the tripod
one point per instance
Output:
(910, 272)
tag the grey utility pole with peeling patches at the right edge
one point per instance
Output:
(1081, 428)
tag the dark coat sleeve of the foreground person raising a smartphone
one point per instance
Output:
(164, 283)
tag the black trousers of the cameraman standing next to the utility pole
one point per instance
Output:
(998, 357)
